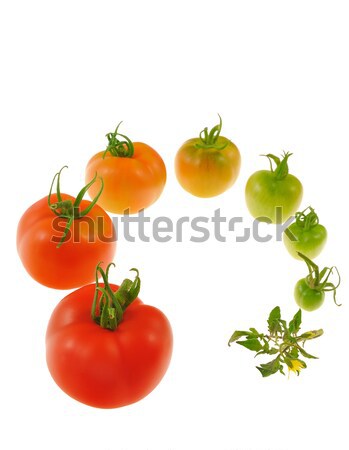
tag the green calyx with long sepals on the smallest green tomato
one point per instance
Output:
(319, 280)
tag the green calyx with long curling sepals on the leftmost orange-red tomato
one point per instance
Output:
(66, 209)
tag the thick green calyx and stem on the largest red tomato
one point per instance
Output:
(108, 307)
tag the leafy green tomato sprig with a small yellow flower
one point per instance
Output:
(282, 340)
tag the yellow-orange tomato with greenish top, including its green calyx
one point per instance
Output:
(208, 165)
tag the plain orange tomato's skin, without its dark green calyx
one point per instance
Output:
(130, 183)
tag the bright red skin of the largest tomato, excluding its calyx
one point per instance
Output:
(103, 368)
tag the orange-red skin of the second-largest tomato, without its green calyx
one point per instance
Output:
(73, 264)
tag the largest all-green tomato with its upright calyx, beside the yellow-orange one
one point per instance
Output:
(273, 195)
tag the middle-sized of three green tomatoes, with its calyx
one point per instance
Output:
(305, 235)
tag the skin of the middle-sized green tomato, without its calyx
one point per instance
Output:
(309, 242)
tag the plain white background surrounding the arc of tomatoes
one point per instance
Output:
(277, 73)
